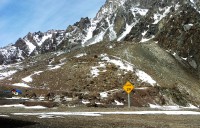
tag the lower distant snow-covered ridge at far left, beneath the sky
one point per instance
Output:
(30, 45)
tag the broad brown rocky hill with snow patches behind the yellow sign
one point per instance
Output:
(95, 76)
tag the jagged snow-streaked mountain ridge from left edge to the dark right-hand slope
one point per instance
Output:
(107, 25)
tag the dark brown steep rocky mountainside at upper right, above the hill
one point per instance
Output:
(175, 27)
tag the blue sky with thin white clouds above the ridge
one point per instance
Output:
(18, 17)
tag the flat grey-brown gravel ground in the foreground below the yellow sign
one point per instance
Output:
(105, 121)
